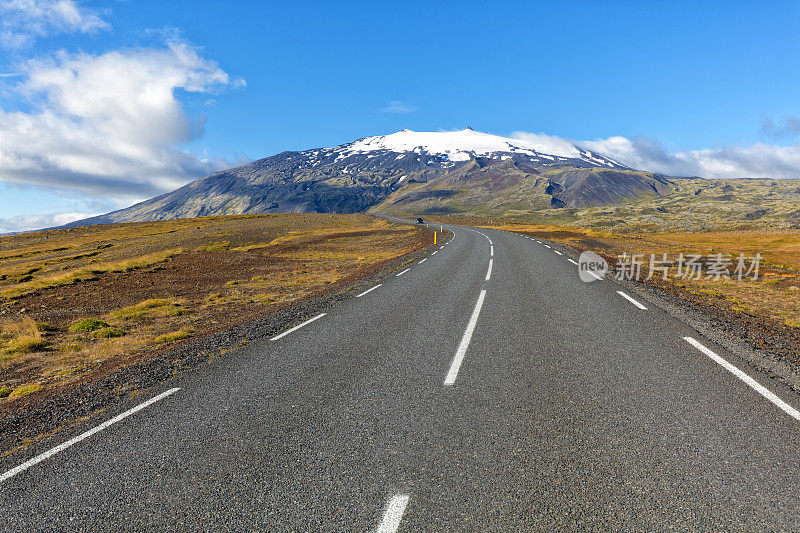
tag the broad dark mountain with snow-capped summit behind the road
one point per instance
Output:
(412, 172)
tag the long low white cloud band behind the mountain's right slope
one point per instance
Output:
(758, 160)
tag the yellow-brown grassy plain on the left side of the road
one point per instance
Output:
(75, 304)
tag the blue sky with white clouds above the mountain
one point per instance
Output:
(707, 88)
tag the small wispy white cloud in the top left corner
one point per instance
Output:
(24, 21)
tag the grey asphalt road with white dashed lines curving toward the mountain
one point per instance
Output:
(572, 408)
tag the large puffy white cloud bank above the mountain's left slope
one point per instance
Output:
(109, 125)
